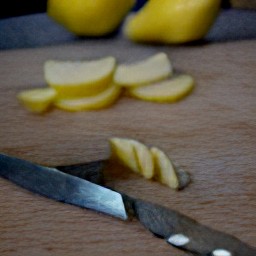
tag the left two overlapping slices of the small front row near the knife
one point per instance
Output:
(134, 155)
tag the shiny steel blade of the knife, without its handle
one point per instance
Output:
(62, 187)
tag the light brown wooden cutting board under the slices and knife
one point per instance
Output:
(211, 134)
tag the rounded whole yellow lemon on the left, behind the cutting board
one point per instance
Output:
(89, 17)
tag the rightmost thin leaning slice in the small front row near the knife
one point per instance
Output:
(164, 169)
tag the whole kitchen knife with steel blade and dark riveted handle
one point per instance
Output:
(177, 229)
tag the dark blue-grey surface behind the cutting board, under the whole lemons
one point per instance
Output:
(39, 30)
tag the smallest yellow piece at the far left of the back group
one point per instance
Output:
(37, 100)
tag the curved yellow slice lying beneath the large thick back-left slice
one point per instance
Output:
(101, 100)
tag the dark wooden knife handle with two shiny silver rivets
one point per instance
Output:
(187, 234)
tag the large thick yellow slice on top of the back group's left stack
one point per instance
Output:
(79, 78)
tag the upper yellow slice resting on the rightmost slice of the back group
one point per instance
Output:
(150, 70)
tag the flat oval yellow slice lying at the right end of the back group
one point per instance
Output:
(170, 90)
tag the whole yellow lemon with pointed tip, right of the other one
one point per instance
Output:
(172, 21)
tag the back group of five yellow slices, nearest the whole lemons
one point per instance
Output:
(97, 84)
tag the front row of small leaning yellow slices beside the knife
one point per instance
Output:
(152, 163)
